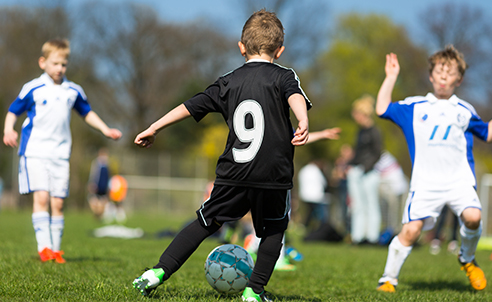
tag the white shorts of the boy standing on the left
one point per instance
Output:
(43, 174)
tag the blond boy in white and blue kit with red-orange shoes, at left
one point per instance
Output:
(46, 142)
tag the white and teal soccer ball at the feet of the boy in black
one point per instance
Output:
(228, 268)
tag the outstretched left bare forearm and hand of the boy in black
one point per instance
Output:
(146, 138)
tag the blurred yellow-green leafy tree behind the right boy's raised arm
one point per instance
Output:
(354, 65)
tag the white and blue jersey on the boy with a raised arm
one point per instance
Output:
(439, 135)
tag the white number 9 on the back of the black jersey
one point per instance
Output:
(253, 135)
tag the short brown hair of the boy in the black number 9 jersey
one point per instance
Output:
(262, 33)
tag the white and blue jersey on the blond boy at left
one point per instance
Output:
(46, 130)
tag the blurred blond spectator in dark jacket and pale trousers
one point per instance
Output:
(363, 179)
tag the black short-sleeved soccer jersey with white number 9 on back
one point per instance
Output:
(253, 101)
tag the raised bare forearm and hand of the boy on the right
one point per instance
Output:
(392, 69)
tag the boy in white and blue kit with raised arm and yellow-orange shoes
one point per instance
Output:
(439, 129)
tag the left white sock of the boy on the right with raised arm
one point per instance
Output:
(397, 254)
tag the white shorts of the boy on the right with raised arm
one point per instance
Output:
(427, 205)
